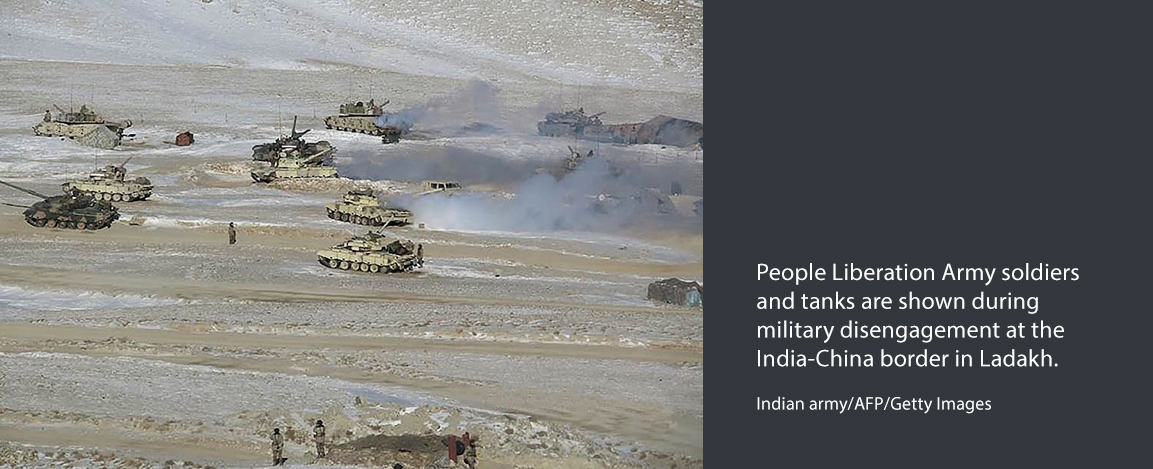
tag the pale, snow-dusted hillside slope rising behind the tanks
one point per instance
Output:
(647, 44)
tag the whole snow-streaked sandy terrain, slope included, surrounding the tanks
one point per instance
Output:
(160, 345)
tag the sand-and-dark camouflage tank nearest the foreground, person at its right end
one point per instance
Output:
(373, 253)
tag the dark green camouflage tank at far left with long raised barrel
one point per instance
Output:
(72, 211)
